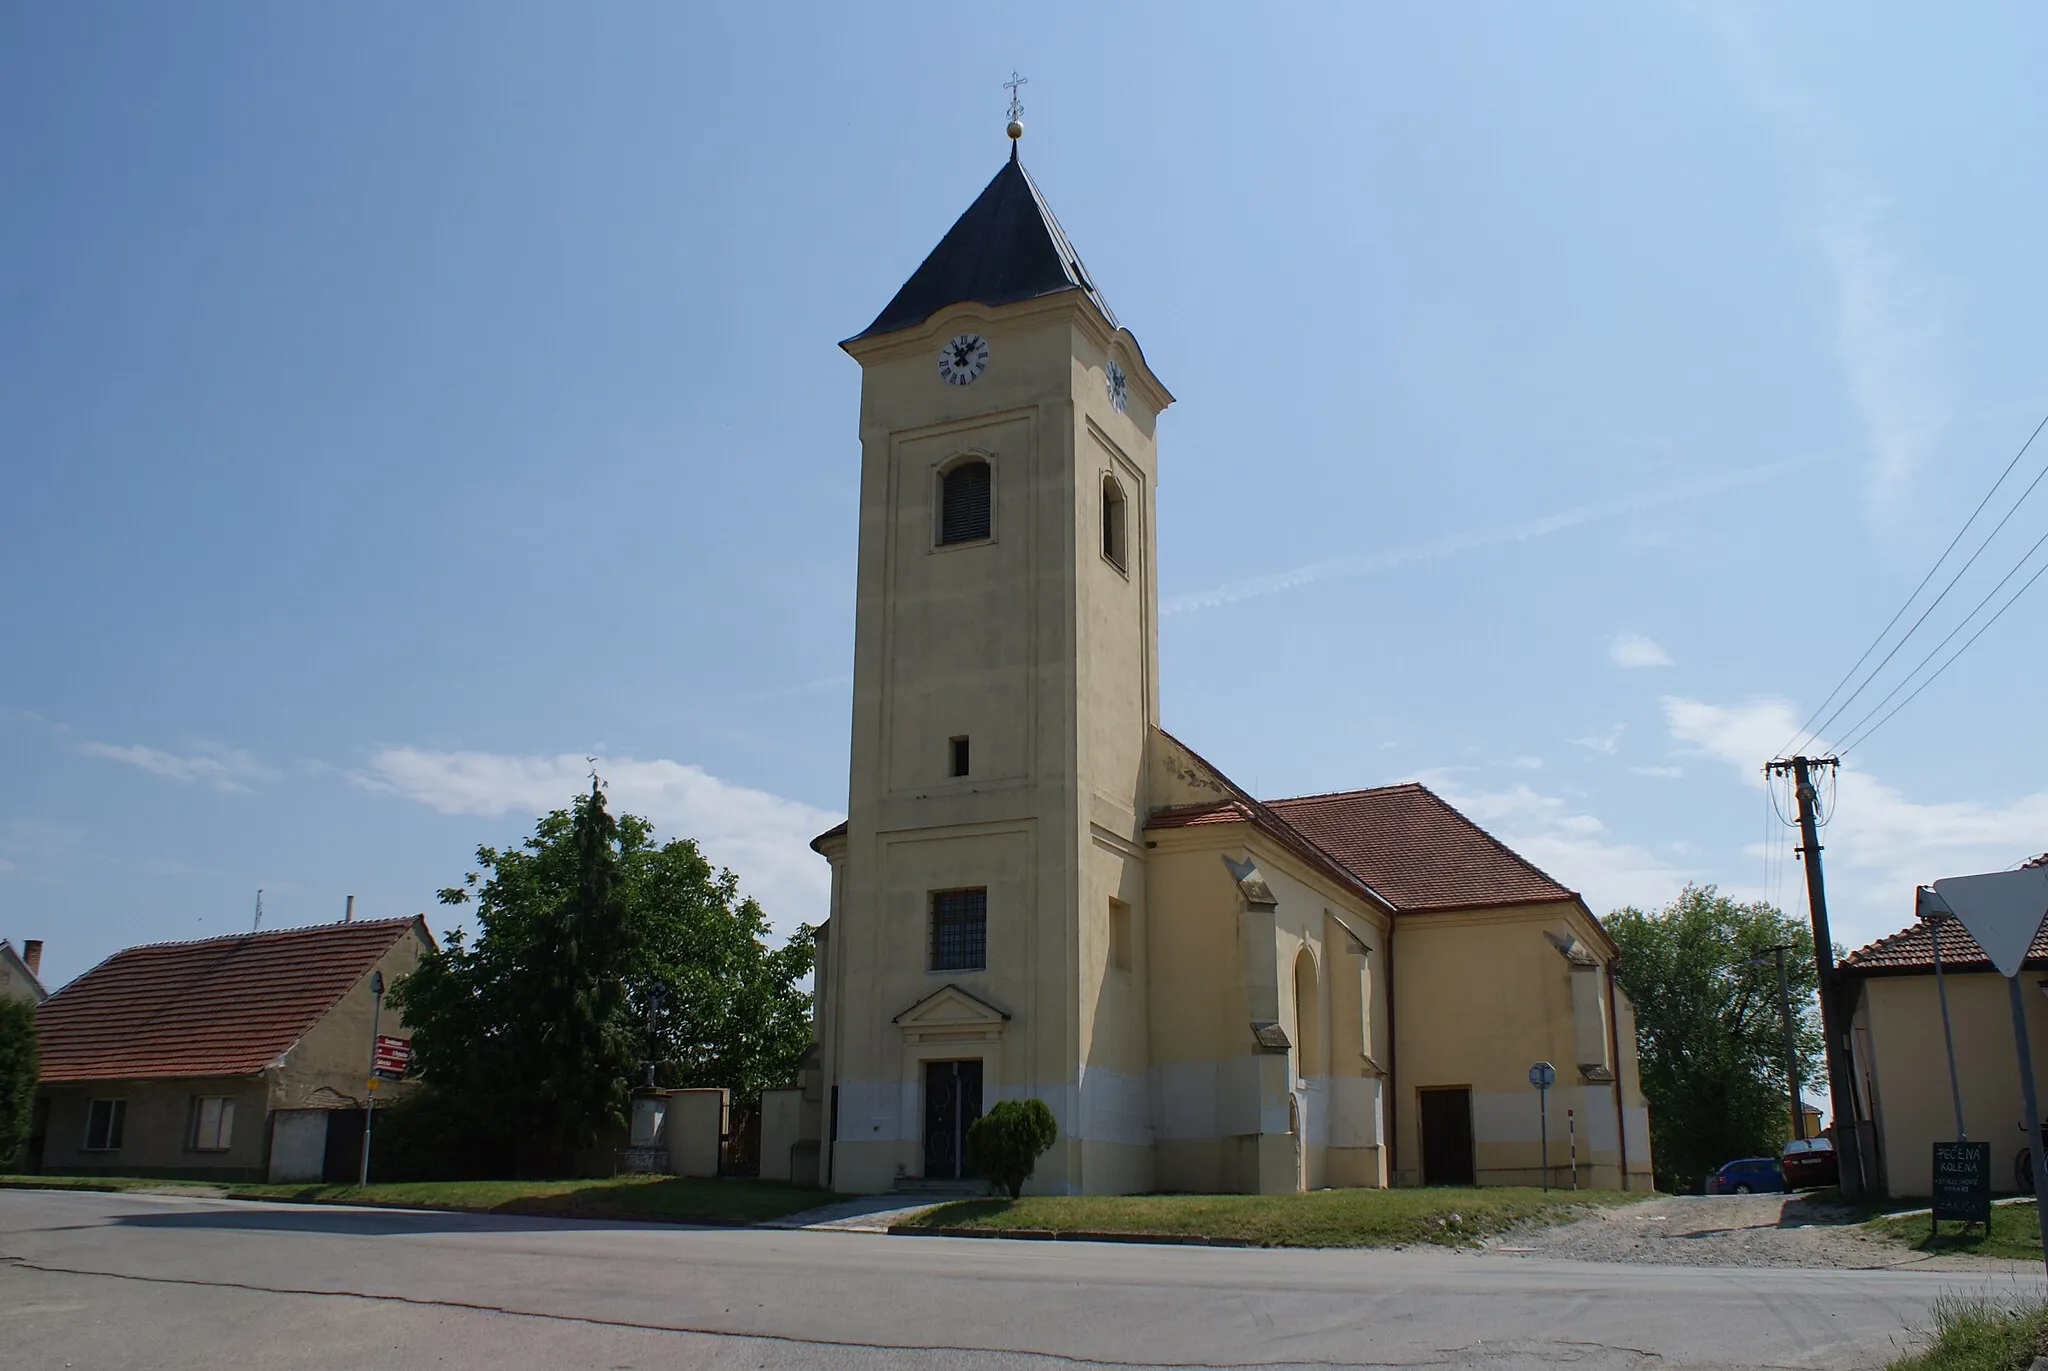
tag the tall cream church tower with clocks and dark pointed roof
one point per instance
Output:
(988, 917)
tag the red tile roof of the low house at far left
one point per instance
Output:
(220, 1007)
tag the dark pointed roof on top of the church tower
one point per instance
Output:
(1005, 249)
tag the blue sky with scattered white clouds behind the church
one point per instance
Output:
(400, 405)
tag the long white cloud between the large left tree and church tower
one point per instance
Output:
(759, 835)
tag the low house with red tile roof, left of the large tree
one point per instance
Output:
(239, 1058)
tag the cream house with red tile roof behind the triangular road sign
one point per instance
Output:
(1902, 1061)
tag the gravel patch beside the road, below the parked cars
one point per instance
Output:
(1730, 1231)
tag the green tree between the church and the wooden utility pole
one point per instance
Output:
(1709, 1030)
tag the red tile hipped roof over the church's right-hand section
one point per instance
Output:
(1416, 849)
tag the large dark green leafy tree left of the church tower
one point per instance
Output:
(589, 940)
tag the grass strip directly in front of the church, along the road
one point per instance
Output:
(1451, 1216)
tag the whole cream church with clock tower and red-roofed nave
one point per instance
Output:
(1041, 892)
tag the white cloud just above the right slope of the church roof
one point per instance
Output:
(1568, 843)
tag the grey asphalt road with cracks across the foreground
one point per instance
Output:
(142, 1282)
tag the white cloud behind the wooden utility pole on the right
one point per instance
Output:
(1879, 841)
